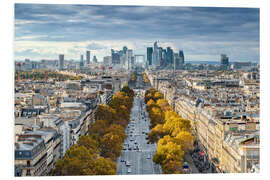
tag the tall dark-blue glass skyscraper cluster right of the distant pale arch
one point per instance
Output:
(157, 57)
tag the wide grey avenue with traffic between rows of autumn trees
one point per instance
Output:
(137, 154)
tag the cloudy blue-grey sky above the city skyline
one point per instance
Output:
(45, 31)
